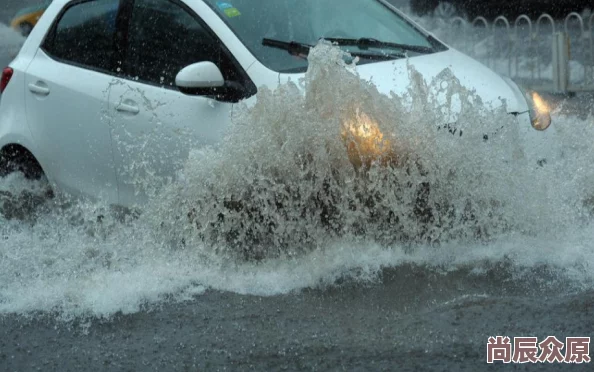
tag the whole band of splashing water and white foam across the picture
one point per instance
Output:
(293, 187)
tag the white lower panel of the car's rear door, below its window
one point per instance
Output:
(78, 144)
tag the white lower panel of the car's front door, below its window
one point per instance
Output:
(151, 145)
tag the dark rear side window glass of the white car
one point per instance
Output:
(85, 35)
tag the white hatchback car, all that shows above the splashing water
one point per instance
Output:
(96, 77)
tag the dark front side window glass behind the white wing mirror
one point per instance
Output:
(163, 38)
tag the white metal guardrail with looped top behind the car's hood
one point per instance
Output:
(545, 54)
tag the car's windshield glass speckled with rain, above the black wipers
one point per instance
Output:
(306, 21)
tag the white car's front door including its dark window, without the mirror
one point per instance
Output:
(155, 124)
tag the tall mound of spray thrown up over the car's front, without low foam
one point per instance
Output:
(341, 160)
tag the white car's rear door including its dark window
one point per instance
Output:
(66, 96)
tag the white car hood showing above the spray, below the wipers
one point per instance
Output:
(494, 90)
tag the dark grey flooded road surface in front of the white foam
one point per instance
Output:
(409, 321)
